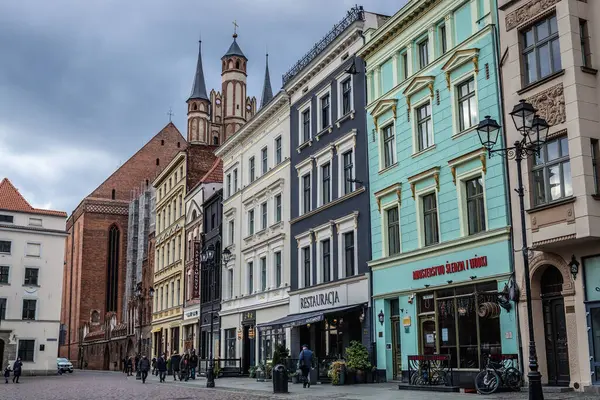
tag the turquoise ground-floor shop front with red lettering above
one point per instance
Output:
(451, 306)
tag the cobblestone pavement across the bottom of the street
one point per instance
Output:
(95, 385)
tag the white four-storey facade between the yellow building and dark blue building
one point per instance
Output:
(255, 282)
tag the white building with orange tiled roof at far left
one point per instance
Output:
(32, 243)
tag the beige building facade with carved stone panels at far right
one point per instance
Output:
(548, 58)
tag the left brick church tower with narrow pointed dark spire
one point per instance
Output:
(198, 107)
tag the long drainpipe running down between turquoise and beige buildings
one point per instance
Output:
(507, 192)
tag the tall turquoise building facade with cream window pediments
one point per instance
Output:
(441, 249)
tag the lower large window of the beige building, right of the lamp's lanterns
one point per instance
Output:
(551, 173)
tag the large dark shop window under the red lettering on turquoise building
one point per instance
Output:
(464, 323)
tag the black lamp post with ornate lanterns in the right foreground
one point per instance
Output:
(533, 131)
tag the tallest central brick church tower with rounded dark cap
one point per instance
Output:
(237, 106)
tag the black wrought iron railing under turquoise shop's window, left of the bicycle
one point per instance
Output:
(430, 370)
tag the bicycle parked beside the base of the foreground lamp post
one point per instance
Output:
(496, 374)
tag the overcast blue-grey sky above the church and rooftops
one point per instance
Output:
(85, 83)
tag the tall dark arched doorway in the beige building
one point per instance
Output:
(555, 327)
